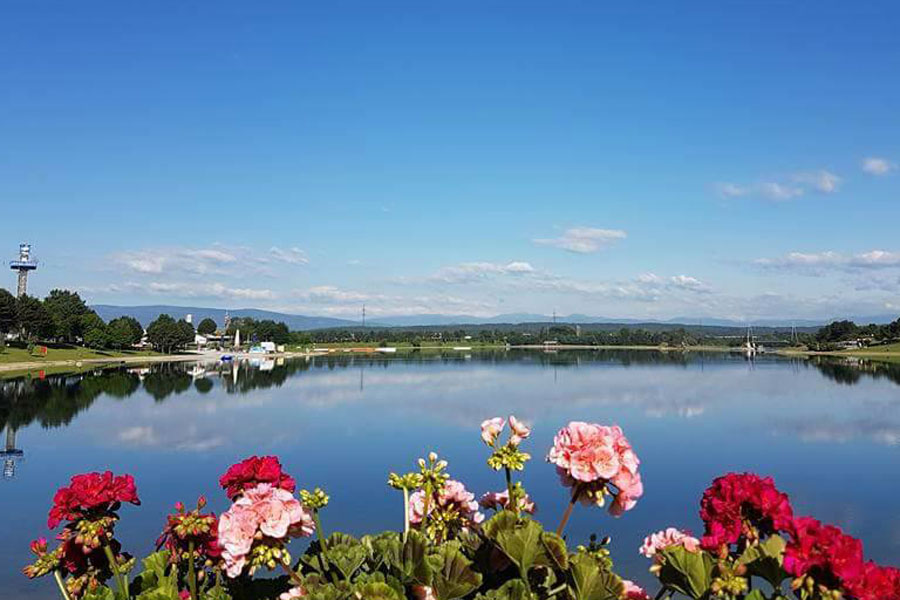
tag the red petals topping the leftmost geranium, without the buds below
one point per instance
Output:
(91, 493)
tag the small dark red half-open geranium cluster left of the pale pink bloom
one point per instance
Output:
(191, 535)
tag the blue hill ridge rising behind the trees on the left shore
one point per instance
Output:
(147, 314)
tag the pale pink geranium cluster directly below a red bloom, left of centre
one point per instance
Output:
(259, 523)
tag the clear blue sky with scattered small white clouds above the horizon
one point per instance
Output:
(711, 159)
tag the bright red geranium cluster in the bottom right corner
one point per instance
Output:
(823, 558)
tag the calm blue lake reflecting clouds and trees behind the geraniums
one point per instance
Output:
(827, 430)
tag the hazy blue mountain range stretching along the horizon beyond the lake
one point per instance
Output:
(146, 314)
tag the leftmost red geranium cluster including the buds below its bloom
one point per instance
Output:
(88, 553)
